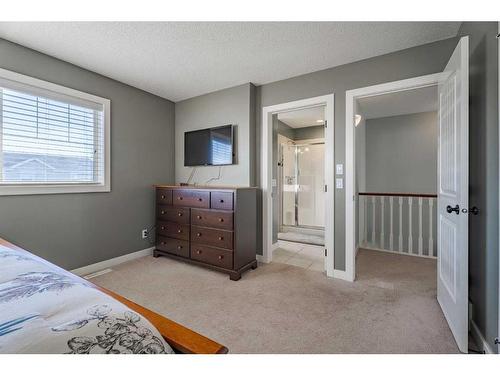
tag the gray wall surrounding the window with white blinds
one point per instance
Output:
(74, 230)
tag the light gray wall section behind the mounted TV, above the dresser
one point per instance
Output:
(230, 106)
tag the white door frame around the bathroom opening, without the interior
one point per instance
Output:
(266, 174)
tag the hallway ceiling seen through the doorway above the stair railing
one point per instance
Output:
(399, 103)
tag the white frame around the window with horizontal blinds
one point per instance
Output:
(64, 188)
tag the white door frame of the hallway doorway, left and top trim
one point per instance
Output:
(350, 161)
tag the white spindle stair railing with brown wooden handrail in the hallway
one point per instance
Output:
(409, 218)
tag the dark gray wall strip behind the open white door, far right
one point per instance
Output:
(483, 175)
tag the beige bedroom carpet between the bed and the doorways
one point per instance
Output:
(280, 308)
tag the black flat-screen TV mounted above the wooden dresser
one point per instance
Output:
(212, 146)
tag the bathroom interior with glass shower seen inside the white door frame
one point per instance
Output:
(300, 190)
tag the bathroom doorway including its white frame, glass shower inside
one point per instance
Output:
(298, 125)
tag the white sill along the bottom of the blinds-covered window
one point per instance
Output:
(37, 189)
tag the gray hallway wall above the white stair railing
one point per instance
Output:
(401, 154)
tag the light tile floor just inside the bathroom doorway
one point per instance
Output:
(306, 256)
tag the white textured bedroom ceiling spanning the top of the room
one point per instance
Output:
(179, 60)
